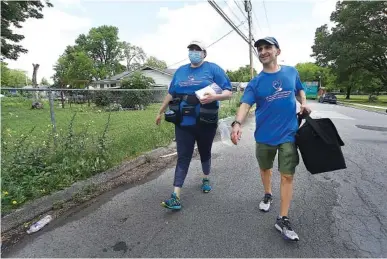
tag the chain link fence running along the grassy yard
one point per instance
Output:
(54, 137)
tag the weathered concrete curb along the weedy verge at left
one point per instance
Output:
(44, 204)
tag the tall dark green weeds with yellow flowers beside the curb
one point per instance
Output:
(32, 168)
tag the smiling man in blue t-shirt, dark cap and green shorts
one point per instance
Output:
(274, 91)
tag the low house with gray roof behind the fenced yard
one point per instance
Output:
(162, 77)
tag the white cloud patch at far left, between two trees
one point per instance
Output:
(46, 39)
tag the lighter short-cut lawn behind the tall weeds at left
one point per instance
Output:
(131, 132)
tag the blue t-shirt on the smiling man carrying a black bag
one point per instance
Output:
(275, 97)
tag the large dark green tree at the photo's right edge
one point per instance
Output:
(357, 43)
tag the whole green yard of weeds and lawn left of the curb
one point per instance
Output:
(88, 141)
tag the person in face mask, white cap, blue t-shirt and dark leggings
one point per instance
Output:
(196, 120)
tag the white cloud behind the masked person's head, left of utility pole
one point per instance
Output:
(194, 21)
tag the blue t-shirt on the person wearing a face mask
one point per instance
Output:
(187, 80)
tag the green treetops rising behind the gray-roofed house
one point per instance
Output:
(98, 55)
